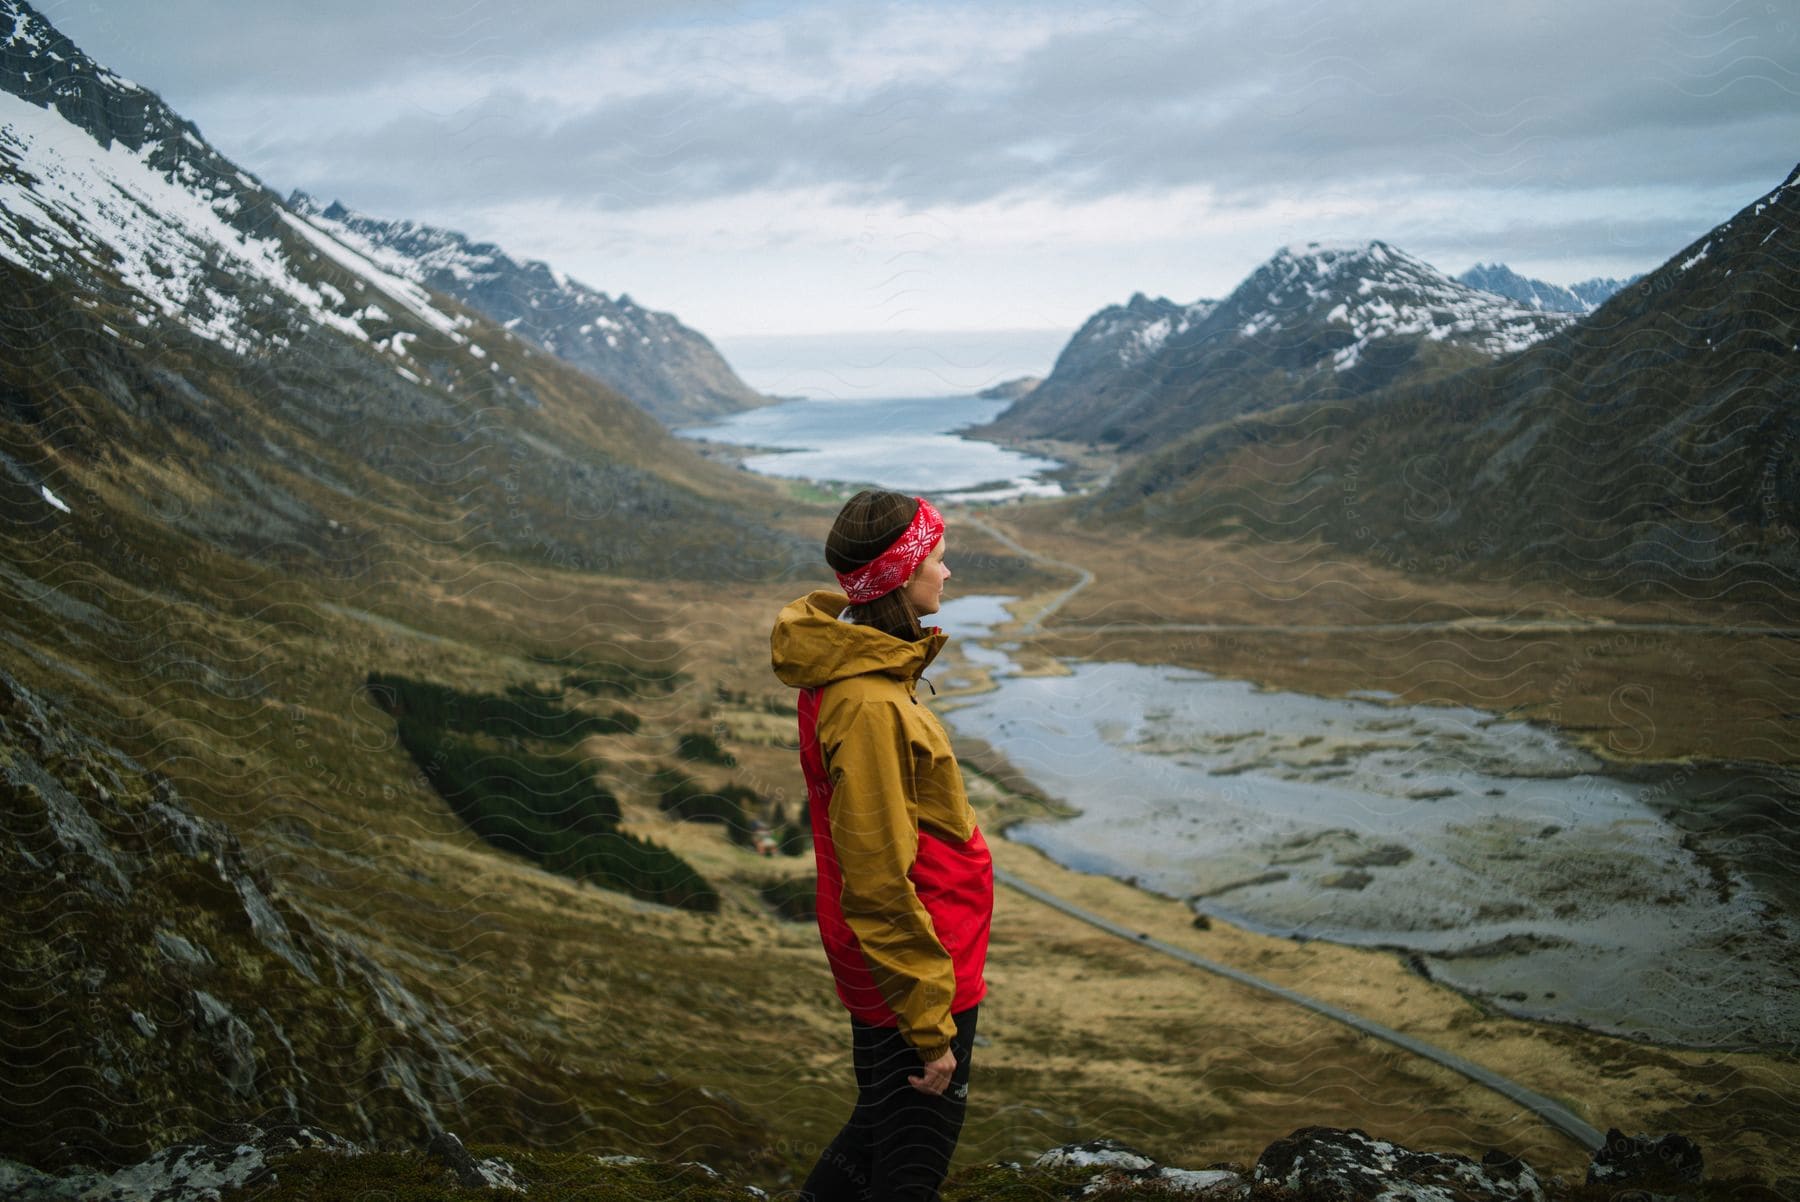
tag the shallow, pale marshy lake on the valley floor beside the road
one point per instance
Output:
(1498, 856)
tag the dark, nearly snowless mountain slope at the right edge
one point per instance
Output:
(1653, 442)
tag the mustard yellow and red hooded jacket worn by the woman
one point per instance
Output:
(906, 886)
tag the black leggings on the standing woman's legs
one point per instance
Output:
(897, 1144)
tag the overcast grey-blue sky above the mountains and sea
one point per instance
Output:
(795, 170)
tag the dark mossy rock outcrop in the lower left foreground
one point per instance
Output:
(157, 983)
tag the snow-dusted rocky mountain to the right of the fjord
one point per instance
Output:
(1311, 325)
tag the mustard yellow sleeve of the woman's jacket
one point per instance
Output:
(874, 823)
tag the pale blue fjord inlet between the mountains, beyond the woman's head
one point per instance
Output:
(903, 444)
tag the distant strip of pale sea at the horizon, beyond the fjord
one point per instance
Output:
(883, 364)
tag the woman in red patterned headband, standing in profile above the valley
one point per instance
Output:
(906, 886)
